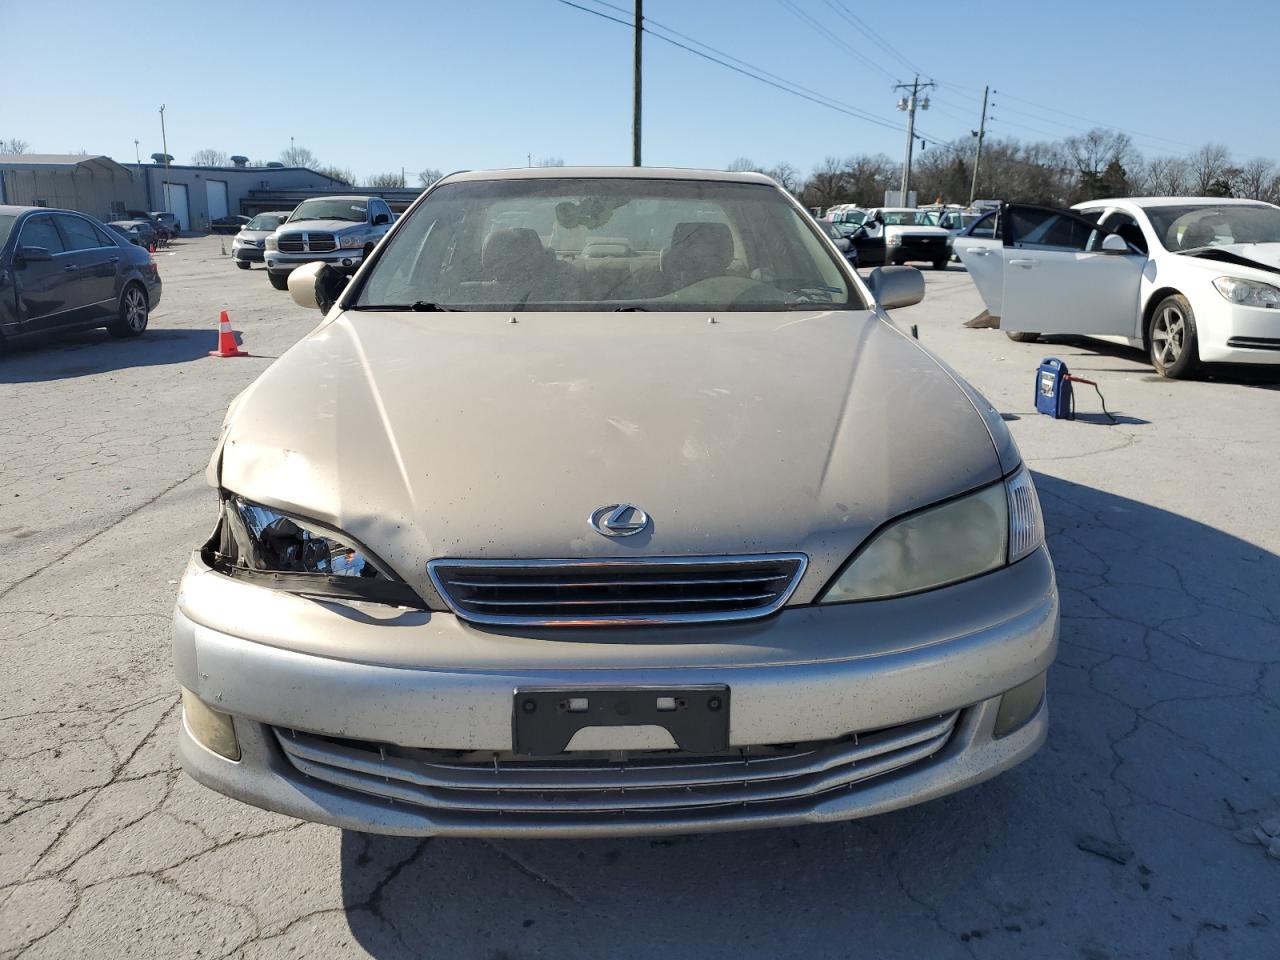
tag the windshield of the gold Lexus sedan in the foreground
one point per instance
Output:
(606, 245)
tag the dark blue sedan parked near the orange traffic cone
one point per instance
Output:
(63, 271)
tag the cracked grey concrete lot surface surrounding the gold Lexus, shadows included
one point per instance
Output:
(1133, 834)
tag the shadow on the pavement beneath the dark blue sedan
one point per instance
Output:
(89, 353)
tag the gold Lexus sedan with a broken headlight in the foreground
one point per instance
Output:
(606, 502)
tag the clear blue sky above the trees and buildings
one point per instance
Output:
(488, 83)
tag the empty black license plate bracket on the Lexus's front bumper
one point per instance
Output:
(546, 720)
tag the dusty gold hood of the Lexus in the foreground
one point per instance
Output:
(473, 436)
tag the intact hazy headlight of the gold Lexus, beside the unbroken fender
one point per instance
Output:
(939, 546)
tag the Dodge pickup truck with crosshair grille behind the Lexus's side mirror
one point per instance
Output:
(339, 231)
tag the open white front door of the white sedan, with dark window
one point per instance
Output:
(1059, 281)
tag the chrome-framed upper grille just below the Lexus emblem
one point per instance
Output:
(618, 592)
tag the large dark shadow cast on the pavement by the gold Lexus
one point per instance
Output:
(1117, 840)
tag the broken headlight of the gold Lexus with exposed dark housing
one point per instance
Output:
(301, 556)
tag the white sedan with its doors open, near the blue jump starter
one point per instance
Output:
(1190, 280)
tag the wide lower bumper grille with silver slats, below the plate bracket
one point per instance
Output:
(600, 785)
